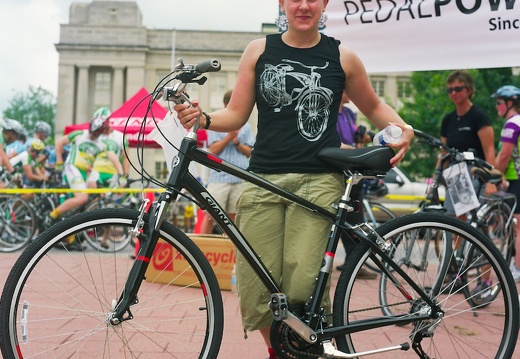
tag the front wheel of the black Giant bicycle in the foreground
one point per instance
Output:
(55, 303)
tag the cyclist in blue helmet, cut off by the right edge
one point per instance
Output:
(508, 158)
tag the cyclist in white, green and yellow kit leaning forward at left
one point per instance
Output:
(86, 146)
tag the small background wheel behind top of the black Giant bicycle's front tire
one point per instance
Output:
(106, 239)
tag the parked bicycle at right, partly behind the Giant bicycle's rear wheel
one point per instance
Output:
(494, 218)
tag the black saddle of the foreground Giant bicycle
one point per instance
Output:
(372, 161)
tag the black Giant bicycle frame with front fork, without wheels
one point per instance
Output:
(180, 179)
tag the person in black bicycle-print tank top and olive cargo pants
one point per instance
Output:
(283, 234)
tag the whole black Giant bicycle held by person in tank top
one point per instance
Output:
(60, 304)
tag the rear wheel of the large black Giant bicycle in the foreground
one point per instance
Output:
(451, 327)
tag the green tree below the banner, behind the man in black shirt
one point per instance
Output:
(430, 104)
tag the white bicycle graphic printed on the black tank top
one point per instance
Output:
(314, 101)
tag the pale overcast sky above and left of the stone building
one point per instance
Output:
(29, 30)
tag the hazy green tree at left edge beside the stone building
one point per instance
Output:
(35, 105)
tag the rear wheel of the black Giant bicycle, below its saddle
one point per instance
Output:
(463, 332)
